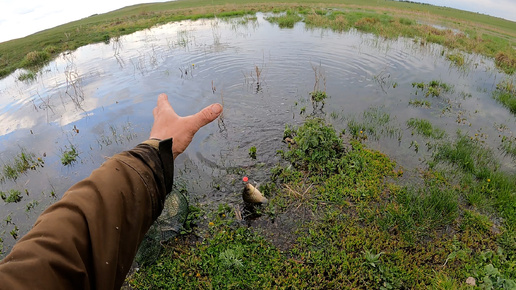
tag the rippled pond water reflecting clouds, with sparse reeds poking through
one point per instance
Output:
(99, 100)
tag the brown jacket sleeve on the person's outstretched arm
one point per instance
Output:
(88, 239)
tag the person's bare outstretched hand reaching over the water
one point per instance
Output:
(167, 124)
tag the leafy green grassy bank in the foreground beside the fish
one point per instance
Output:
(356, 225)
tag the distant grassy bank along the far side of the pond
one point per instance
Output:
(490, 36)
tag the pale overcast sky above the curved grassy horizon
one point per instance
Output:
(19, 18)
